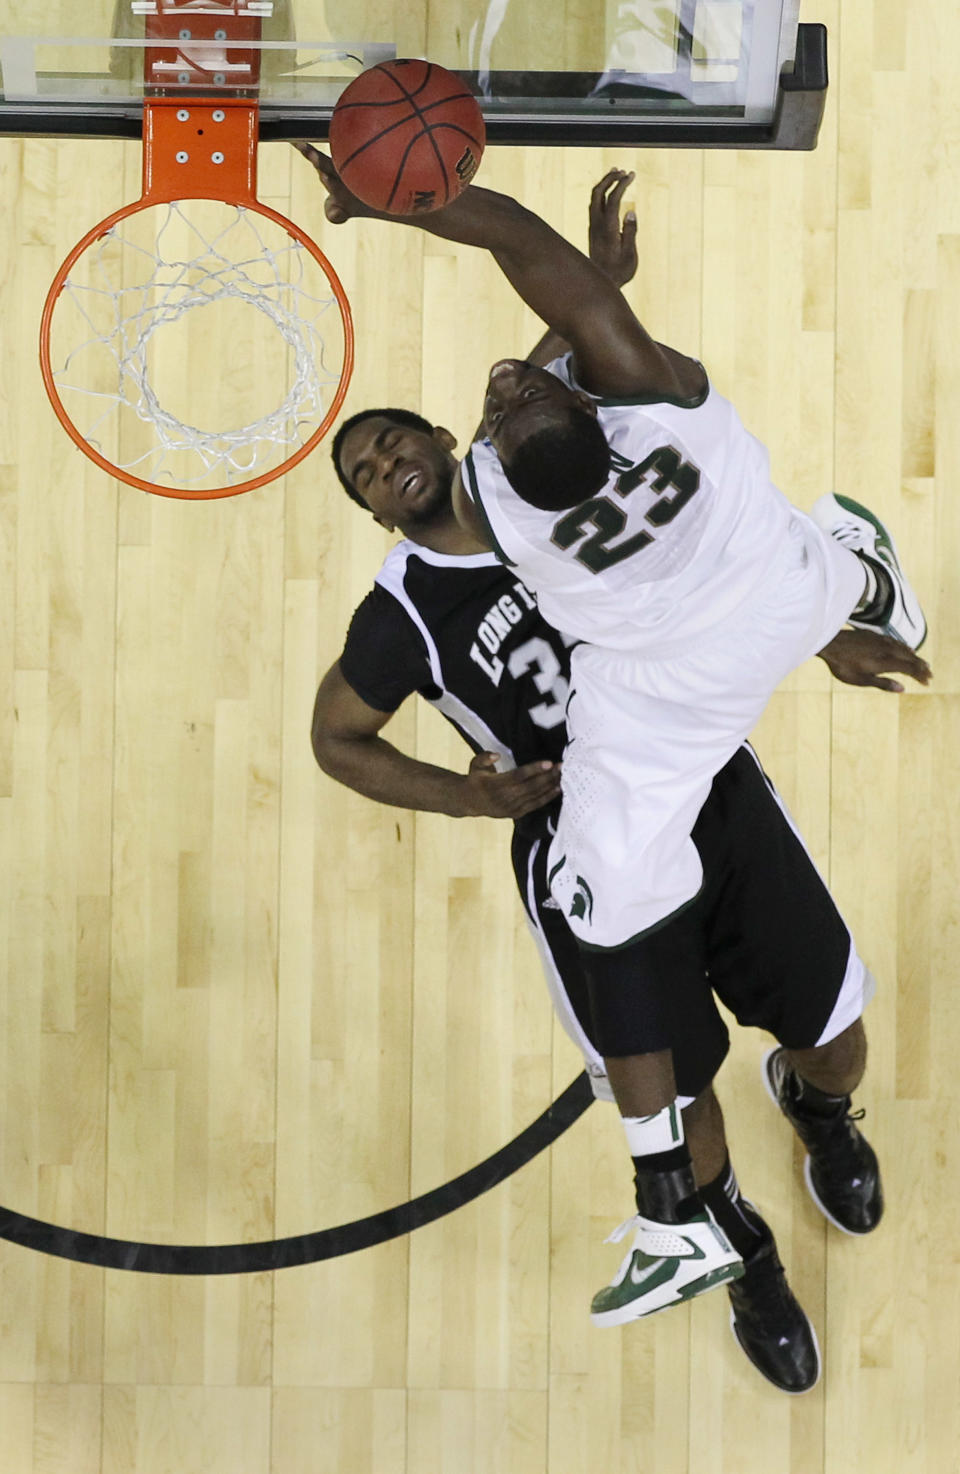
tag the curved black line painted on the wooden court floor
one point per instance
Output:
(306, 1249)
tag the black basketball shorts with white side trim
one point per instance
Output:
(763, 935)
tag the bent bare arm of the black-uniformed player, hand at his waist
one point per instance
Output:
(349, 748)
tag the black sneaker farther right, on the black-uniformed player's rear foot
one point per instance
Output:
(841, 1170)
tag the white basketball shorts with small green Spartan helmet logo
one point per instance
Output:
(647, 738)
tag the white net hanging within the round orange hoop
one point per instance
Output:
(197, 346)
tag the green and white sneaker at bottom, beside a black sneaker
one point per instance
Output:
(666, 1264)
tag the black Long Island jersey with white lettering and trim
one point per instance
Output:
(467, 635)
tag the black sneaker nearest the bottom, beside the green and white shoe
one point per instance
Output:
(771, 1324)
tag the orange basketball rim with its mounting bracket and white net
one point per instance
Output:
(198, 148)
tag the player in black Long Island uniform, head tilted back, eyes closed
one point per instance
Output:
(449, 621)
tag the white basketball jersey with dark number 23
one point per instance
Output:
(684, 537)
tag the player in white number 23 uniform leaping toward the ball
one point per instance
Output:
(692, 601)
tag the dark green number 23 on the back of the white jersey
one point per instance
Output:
(661, 471)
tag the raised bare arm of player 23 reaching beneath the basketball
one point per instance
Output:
(613, 352)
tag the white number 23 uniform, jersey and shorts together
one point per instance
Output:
(695, 589)
